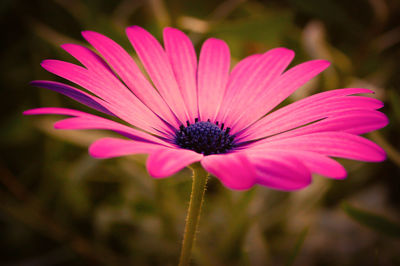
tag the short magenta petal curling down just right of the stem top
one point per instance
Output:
(234, 170)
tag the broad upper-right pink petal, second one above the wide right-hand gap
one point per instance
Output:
(251, 80)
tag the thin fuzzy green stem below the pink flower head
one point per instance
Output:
(192, 219)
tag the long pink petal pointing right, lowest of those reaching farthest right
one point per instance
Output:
(336, 144)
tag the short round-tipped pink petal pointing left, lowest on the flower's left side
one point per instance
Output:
(113, 147)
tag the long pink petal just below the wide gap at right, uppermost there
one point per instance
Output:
(308, 110)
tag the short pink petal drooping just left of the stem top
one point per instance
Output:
(165, 162)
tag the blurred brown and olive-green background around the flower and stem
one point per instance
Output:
(59, 206)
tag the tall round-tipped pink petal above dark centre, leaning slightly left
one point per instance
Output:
(182, 57)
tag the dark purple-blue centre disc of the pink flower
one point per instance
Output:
(205, 137)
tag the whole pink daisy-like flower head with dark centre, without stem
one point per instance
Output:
(203, 112)
